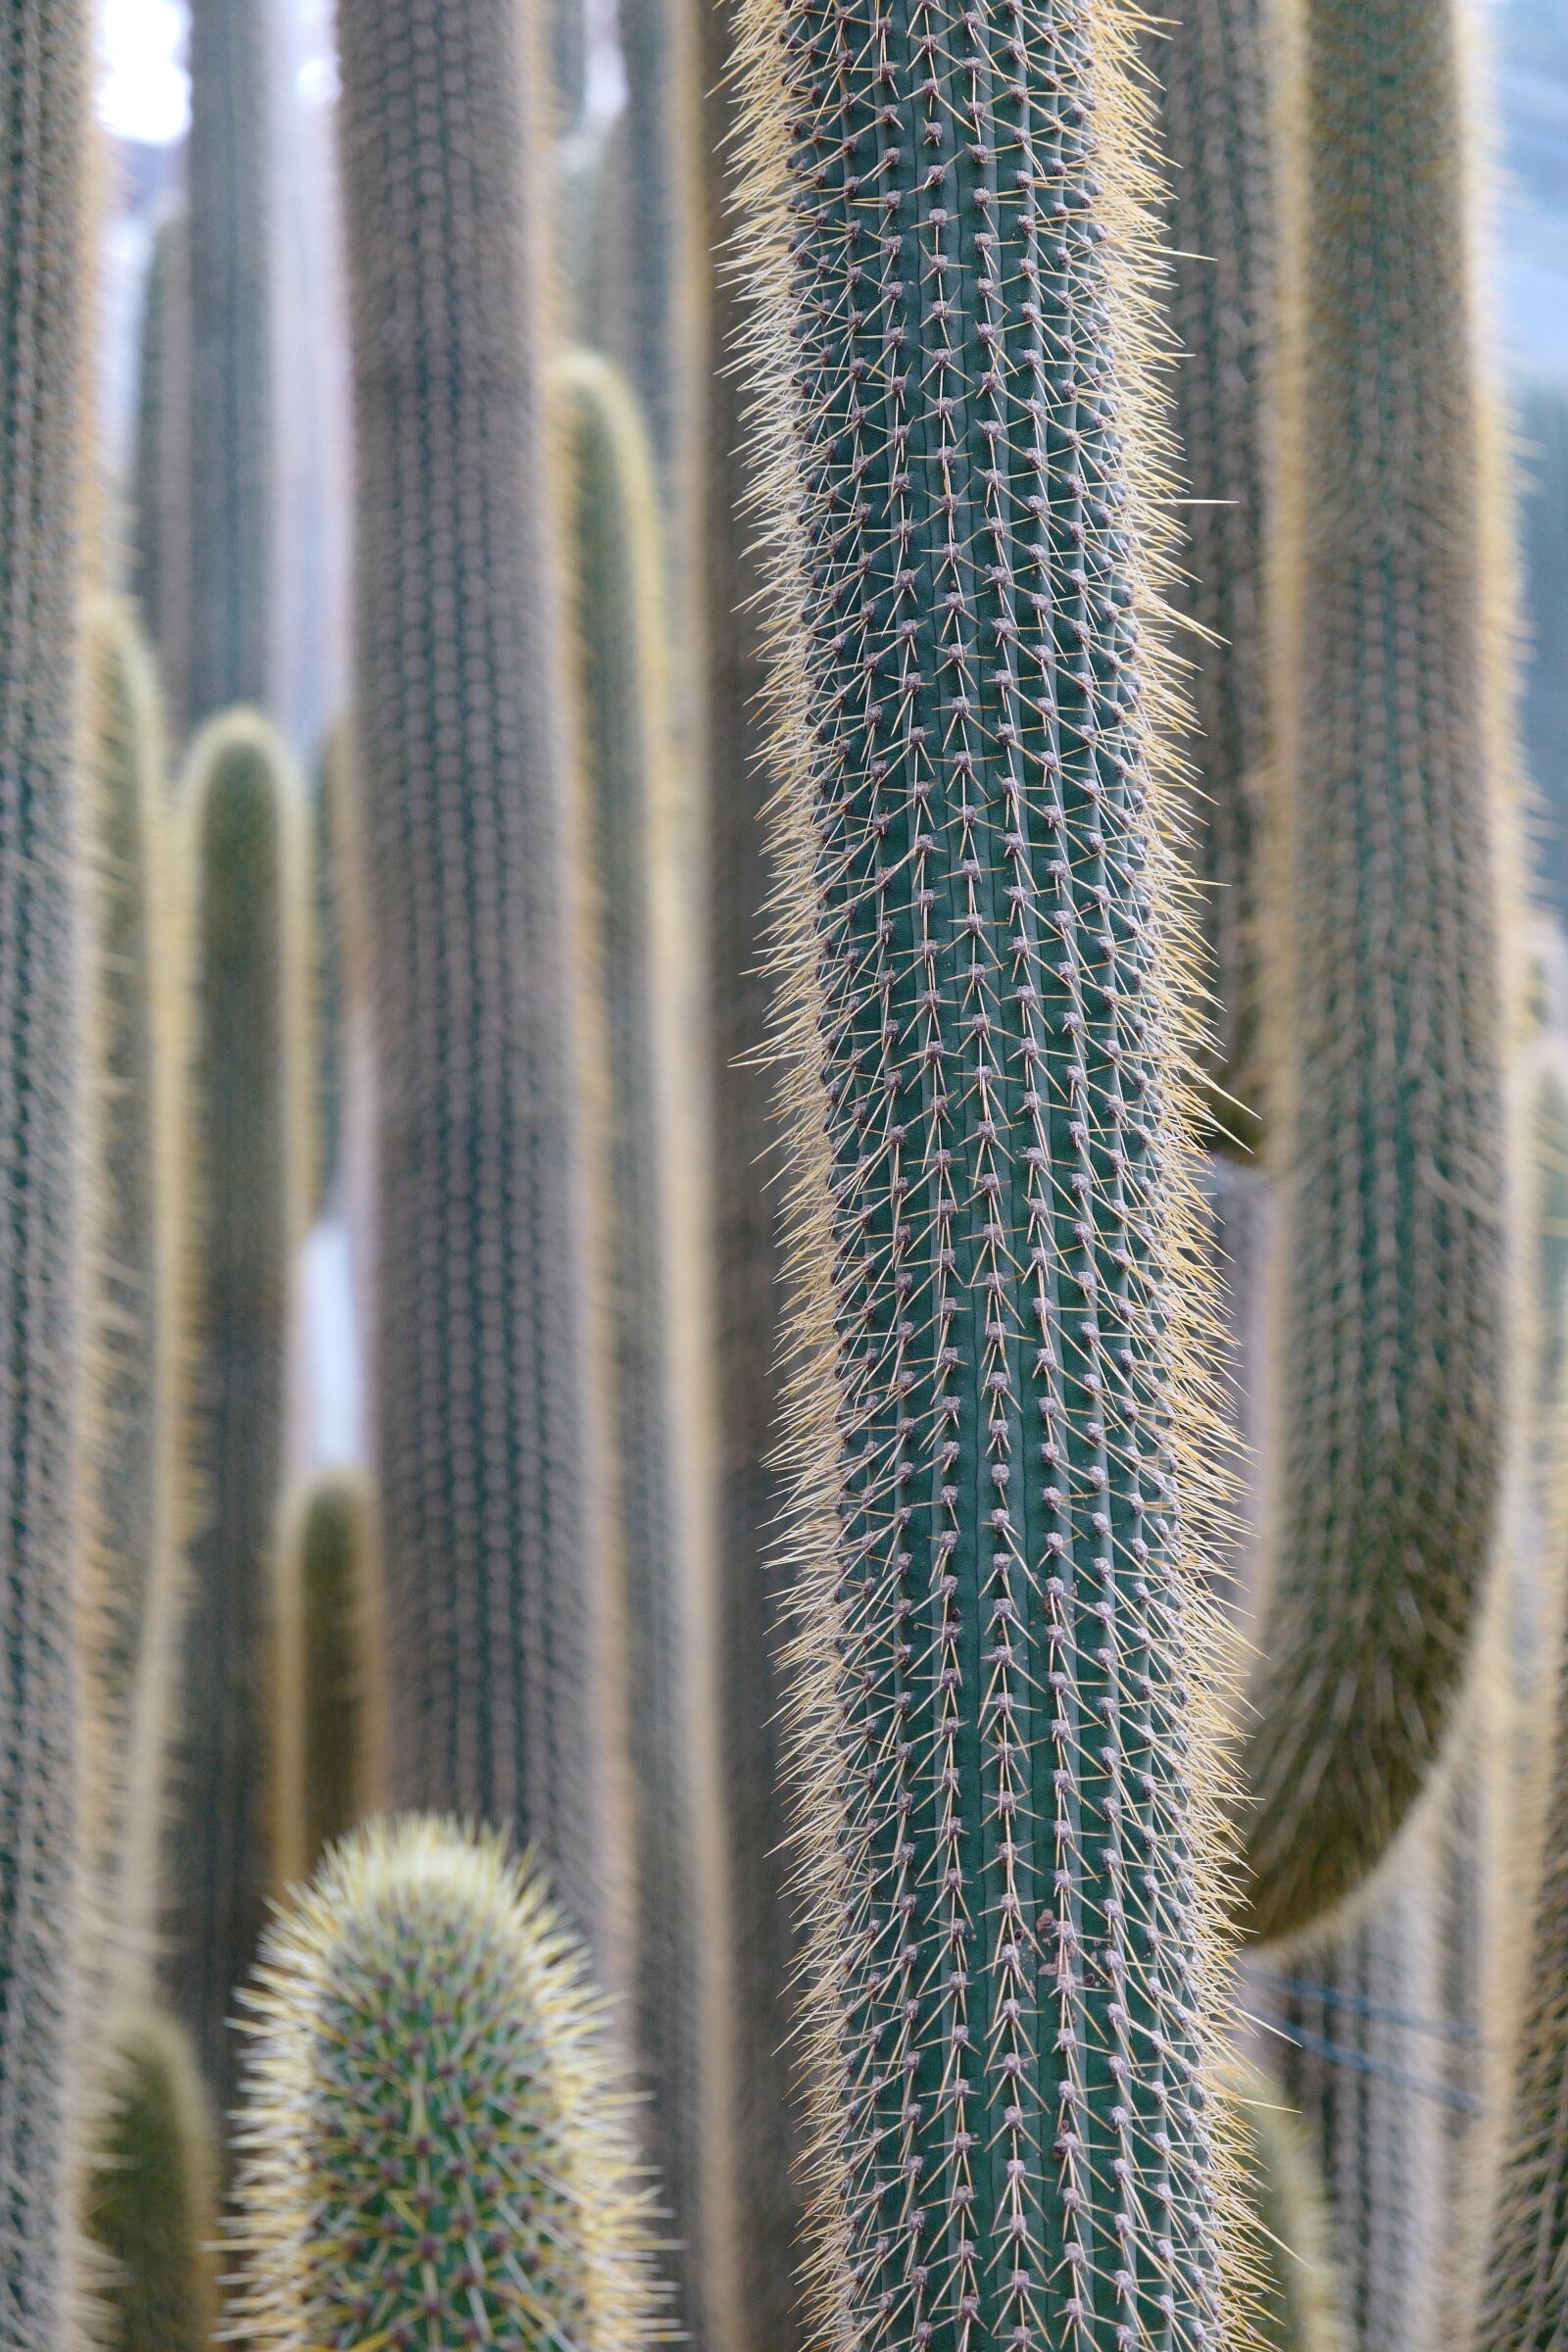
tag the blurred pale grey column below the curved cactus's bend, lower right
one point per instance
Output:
(1367, 2059)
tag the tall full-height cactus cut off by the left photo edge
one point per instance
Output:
(46, 93)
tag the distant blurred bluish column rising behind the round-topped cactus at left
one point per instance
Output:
(232, 356)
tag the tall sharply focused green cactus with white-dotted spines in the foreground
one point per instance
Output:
(1003, 1770)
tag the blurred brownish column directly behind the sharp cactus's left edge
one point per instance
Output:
(746, 1252)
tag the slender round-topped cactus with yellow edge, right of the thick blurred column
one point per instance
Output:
(636, 827)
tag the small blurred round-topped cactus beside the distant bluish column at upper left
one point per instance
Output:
(161, 526)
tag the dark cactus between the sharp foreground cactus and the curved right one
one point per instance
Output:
(1209, 65)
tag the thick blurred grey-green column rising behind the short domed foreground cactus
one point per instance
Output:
(483, 1410)
